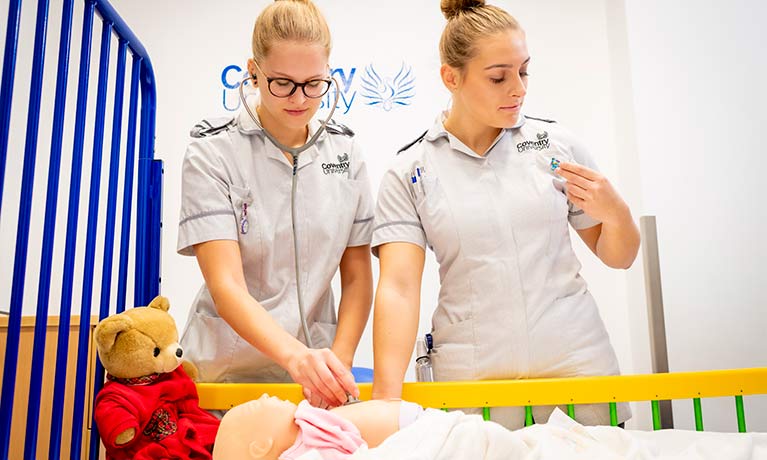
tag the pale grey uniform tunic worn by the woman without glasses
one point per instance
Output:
(512, 304)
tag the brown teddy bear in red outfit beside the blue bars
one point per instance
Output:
(149, 406)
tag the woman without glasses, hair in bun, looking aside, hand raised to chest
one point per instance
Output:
(492, 193)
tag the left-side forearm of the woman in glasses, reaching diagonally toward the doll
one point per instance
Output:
(253, 323)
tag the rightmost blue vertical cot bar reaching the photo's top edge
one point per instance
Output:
(57, 410)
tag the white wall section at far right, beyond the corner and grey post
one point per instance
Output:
(698, 74)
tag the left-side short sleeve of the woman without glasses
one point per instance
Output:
(396, 217)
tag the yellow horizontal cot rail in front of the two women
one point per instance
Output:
(535, 392)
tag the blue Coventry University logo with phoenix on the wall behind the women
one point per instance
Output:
(376, 89)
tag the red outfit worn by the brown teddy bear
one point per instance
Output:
(163, 409)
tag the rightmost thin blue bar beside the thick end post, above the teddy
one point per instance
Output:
(130, 159)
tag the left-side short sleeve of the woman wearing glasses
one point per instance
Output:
(206, 207)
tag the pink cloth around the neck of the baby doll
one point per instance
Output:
(335, 438)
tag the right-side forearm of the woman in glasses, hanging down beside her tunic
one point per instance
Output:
(353, 313)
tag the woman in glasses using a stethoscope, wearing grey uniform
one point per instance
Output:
(240, 213)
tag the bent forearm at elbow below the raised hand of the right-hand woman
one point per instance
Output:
(618, 241)
